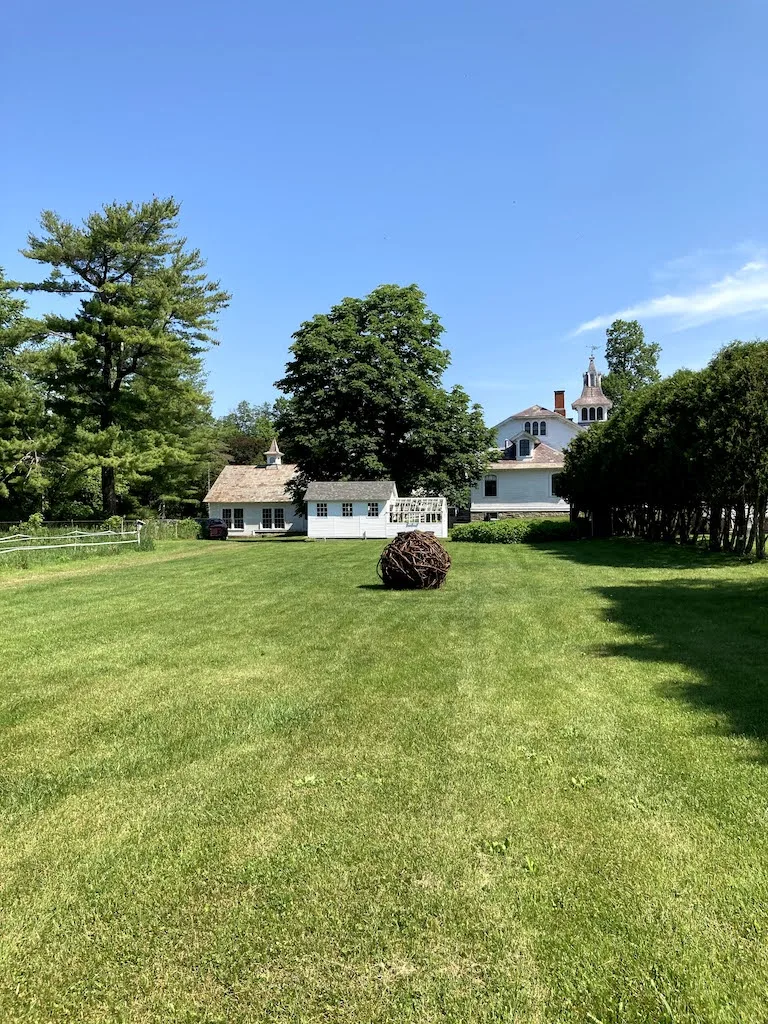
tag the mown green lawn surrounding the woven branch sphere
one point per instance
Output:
(243, 784)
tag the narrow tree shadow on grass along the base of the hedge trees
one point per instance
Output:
(635, 553)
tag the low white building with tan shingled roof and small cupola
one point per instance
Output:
(255, 500)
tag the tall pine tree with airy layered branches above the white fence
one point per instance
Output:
(123, 370)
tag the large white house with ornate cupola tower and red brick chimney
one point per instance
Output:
(523, 478)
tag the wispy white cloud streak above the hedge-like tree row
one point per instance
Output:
(733, 294)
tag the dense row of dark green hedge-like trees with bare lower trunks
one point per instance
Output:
(684, 457)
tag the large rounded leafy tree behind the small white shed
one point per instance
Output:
(367, 402)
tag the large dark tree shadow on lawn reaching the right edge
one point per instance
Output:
(717, 628)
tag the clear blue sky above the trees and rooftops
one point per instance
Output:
(536, 168)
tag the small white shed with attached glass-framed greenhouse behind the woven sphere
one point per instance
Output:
(370, 509)
